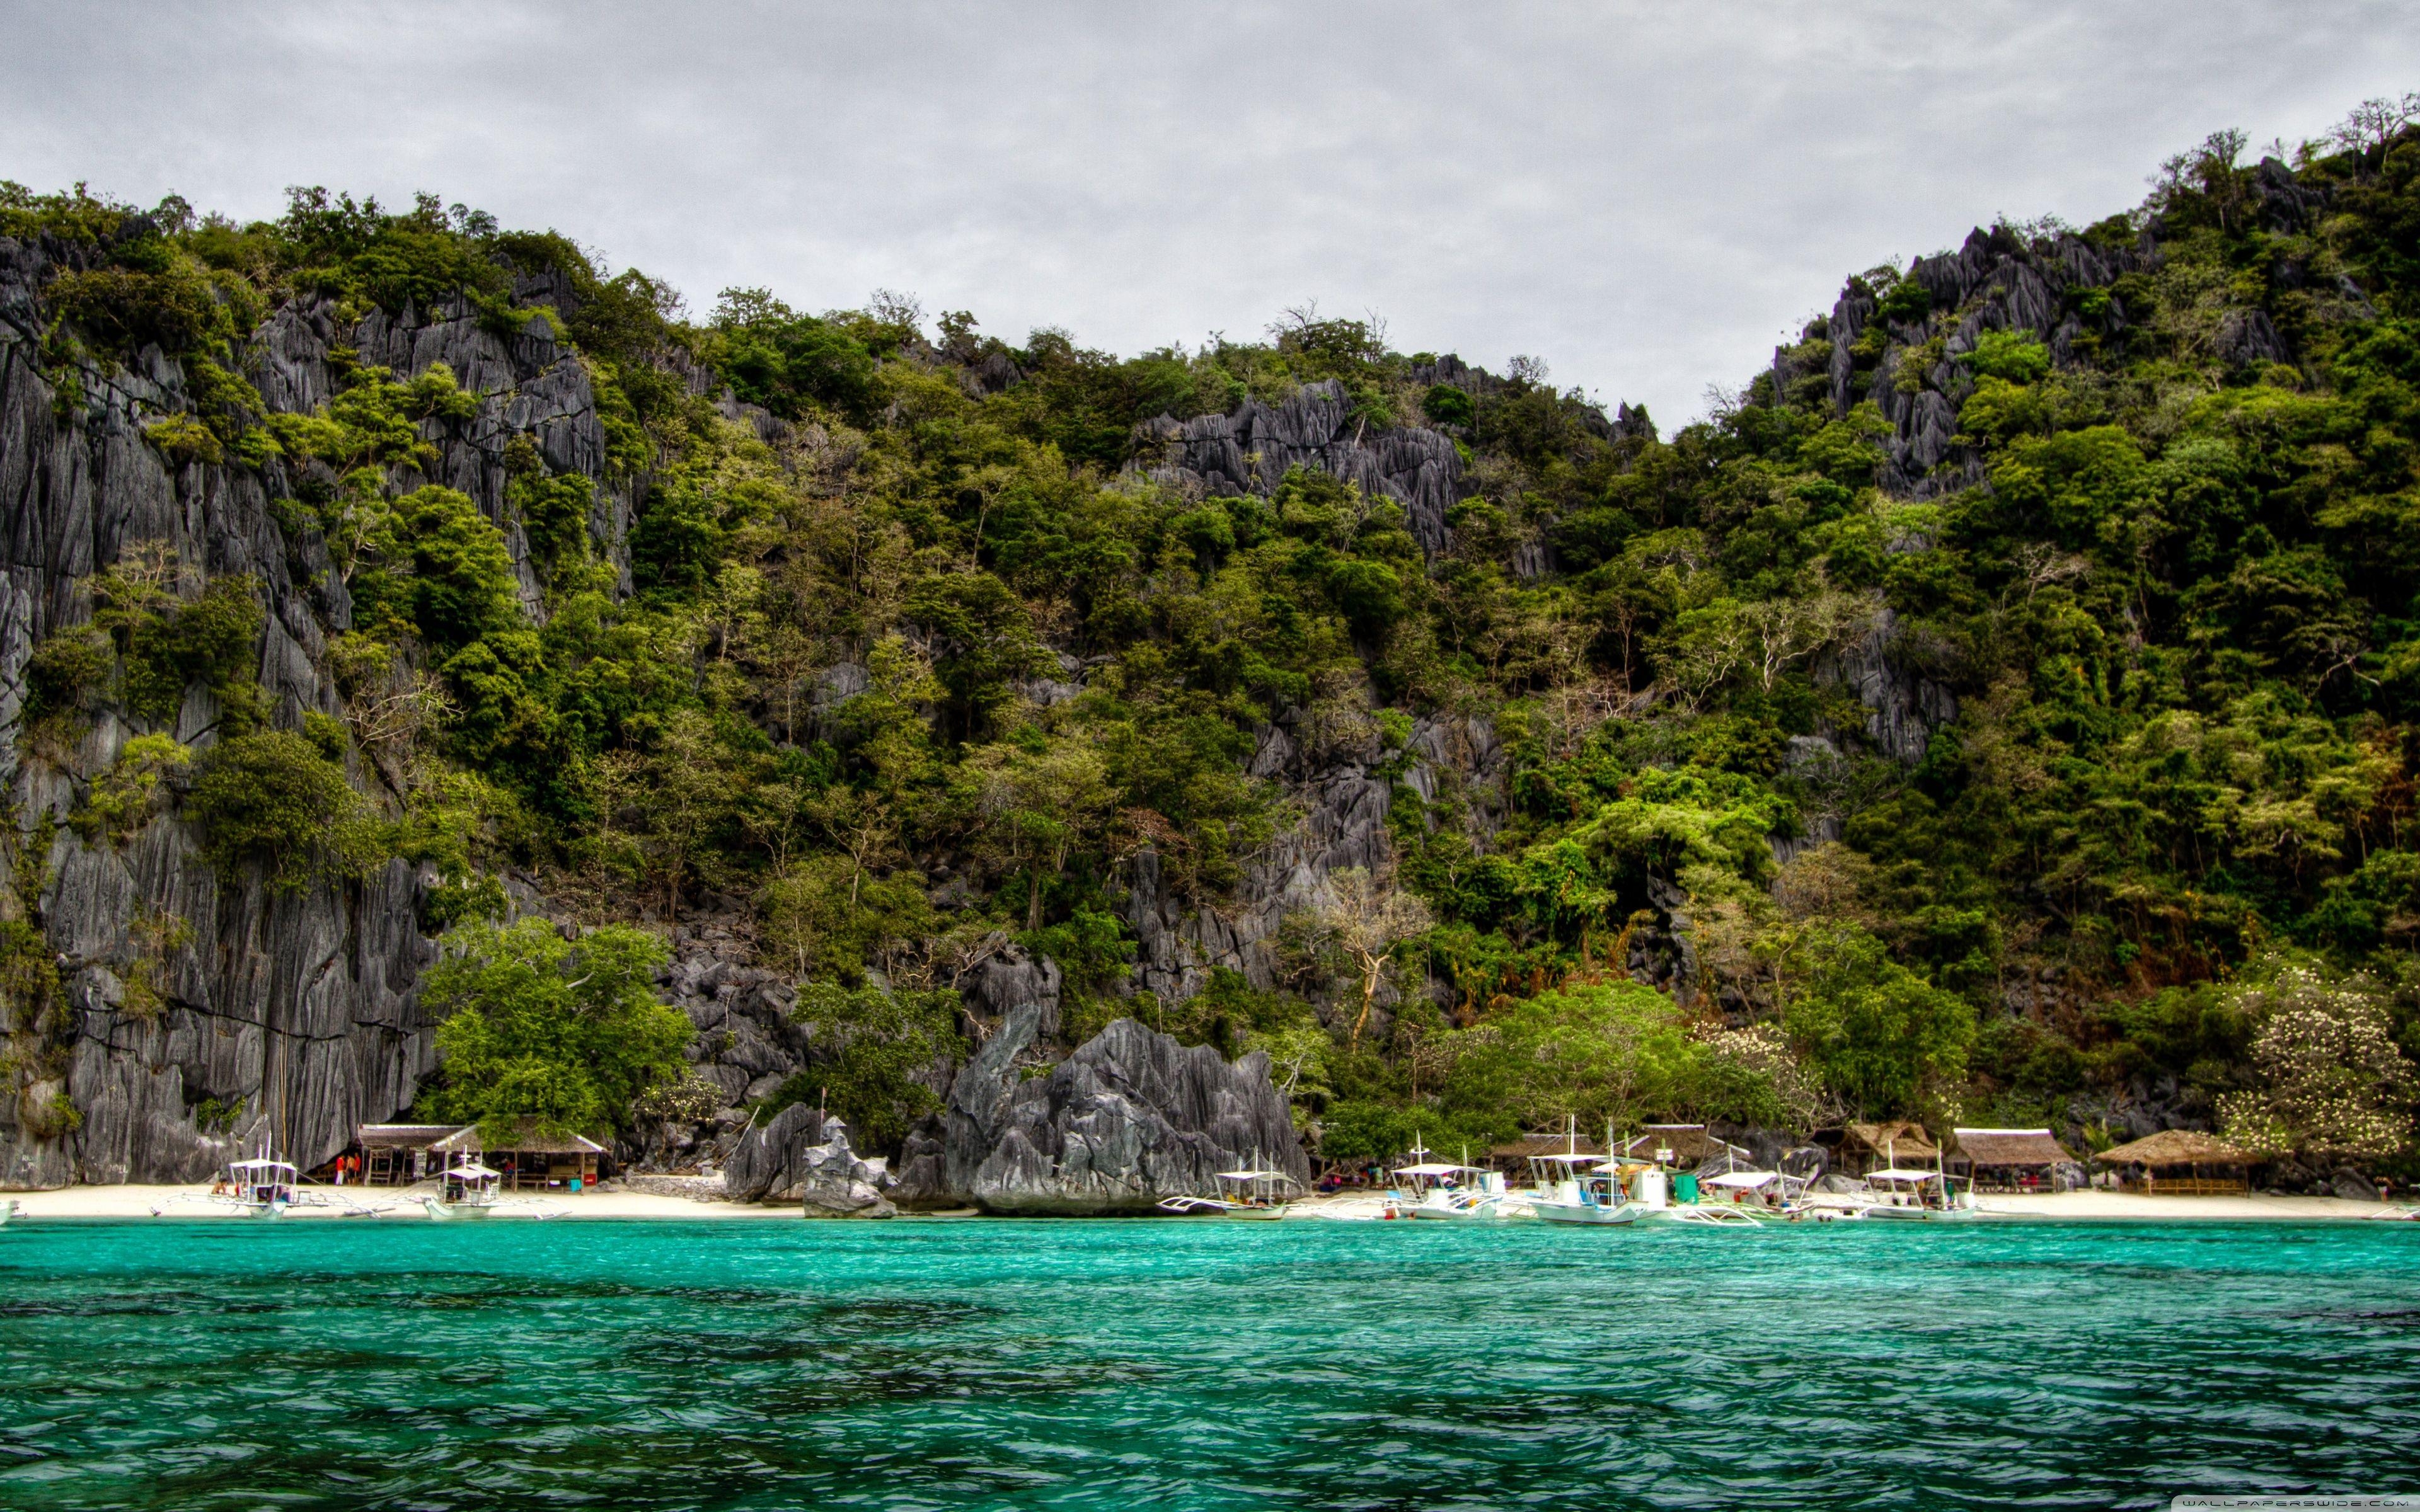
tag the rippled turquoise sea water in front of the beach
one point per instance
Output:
(938, 1363)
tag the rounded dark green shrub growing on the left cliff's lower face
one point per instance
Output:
(277, 804)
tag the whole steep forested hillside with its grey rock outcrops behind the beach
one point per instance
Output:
(2003, 710)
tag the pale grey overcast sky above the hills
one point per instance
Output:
(1647, 197)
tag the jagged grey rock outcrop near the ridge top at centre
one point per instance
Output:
(1252, 451)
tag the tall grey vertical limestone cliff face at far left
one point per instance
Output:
(287, 1015)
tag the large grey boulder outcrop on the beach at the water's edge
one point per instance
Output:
(1122, 1124)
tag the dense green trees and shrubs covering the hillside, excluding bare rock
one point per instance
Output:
(2160, 855)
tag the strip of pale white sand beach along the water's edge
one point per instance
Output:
(405, 1206)
